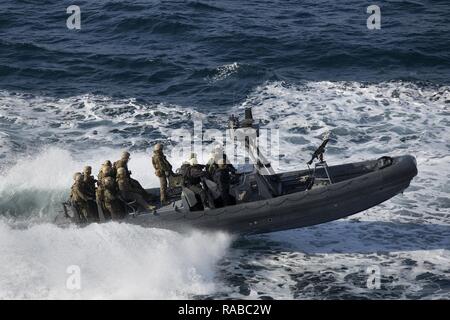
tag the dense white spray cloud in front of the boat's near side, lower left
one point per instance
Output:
(116, 261)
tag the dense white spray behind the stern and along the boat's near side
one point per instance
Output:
(116, 260)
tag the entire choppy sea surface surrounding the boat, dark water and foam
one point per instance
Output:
(137, 70)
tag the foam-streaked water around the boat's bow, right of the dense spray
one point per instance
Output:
(407, 237)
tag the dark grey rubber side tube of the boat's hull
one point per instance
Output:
(295, 210)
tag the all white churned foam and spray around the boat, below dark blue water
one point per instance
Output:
(366, 122)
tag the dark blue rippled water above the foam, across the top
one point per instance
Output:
(168, 50)
